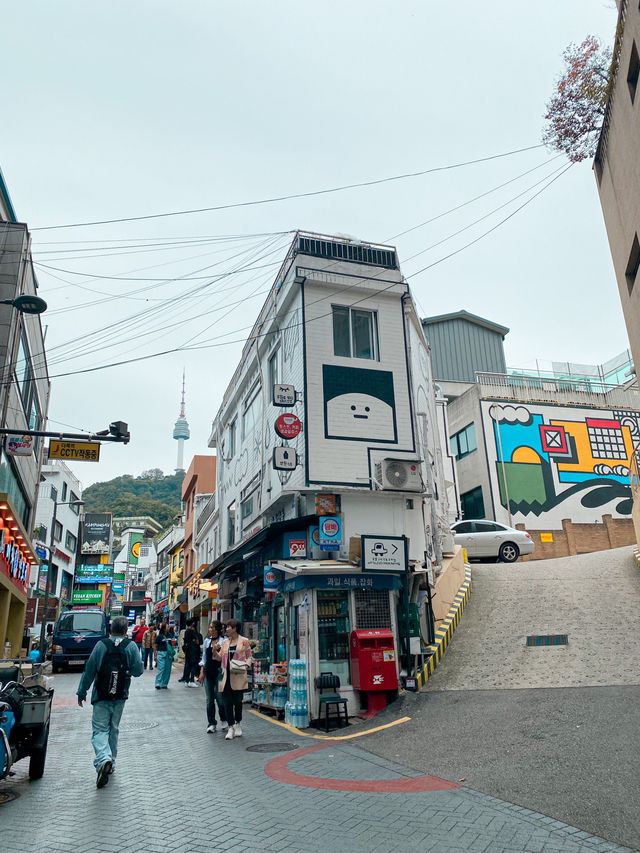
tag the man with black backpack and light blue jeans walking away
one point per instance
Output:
(109, 669)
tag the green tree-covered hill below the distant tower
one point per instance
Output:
(152, 493)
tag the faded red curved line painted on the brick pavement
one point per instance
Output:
(277, 768)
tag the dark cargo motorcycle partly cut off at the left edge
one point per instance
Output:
(25, 711)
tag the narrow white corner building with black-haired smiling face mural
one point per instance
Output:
(330, 431)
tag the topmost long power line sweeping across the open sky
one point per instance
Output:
(293, 195)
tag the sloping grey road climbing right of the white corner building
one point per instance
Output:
(569, 747)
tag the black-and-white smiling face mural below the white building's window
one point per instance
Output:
(359, 404)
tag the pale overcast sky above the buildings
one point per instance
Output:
(123, 109)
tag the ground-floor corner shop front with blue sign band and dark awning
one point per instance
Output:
(312, 609)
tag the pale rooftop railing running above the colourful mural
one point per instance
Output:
(571, 391)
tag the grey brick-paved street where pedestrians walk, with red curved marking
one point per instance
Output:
(178, 789)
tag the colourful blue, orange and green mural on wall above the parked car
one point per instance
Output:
(548, 457)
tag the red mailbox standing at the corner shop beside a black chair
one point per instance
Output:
(373, 665)
